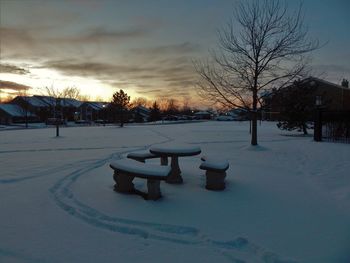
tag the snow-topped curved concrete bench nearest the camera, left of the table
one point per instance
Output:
(126, 170)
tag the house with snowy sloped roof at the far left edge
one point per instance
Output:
(12, 113)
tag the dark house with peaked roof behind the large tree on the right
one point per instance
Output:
(329, 95)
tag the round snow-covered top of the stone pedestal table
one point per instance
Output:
(175, 150)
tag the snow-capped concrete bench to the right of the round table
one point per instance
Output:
(215, 172)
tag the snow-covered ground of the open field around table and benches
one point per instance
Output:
(287, 200)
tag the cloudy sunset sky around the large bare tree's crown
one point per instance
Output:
(145, 47)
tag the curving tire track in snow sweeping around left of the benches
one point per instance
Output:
(237, 250)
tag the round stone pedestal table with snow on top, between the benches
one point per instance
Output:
(165, 151)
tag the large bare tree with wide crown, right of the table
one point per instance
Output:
(263, 46)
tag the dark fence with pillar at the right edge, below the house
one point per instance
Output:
(332, 126)
